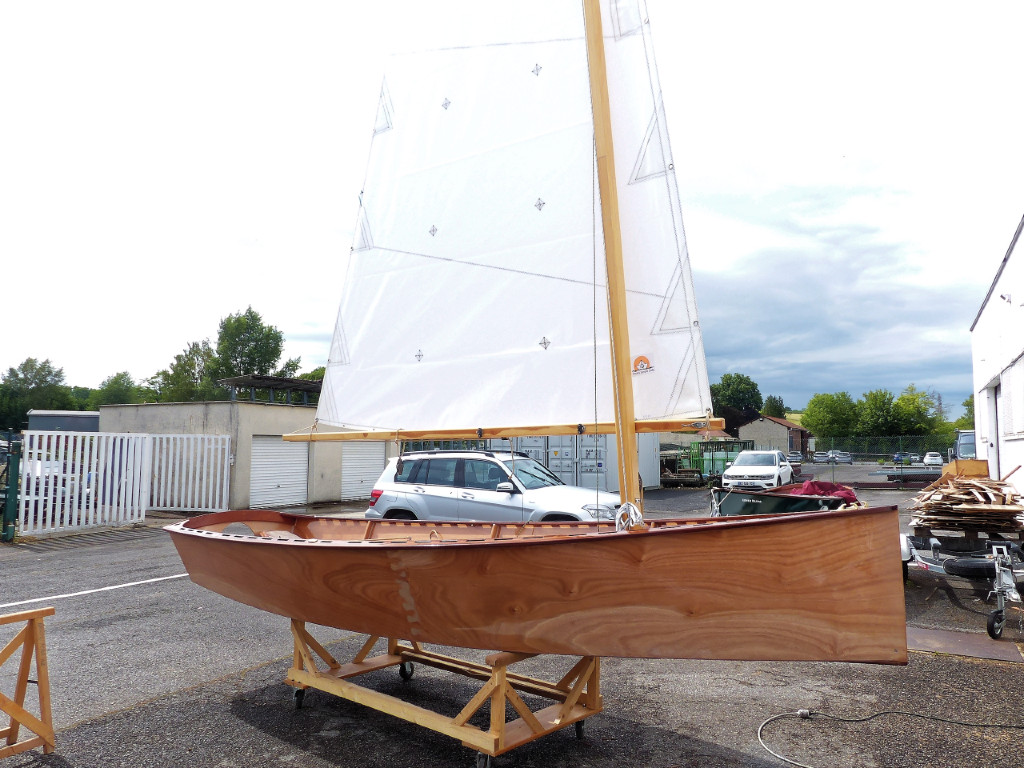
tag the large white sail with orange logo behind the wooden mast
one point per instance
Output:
(476, 291)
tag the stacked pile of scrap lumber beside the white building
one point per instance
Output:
(958, 503)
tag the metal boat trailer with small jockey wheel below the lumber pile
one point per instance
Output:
(994, 559)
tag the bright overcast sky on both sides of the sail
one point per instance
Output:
(851, 177)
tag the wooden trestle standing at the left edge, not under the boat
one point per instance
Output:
(32, 641)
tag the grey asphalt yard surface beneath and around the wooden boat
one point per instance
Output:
(150, 670)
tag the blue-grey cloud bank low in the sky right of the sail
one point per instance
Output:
(839, 309)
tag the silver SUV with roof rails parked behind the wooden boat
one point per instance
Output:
(482, 486)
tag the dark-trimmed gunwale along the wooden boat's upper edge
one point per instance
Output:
(656, 528)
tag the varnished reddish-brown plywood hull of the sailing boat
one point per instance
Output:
(824, 586)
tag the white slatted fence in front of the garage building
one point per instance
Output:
(83, 480)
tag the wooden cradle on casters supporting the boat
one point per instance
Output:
(577, 696)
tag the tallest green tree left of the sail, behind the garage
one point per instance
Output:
(246, 347)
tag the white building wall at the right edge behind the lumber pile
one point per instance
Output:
(998, 353)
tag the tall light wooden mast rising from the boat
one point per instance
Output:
(629, 475)
